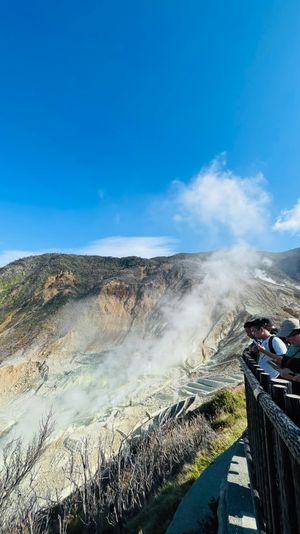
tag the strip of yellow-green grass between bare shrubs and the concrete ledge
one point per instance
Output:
(227, 416)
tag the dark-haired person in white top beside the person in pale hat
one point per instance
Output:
(268, 345)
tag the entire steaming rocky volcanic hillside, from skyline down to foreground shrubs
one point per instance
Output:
(110, 343)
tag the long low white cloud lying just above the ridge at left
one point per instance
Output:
(144, 247)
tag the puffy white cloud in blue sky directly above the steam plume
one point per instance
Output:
(216, 197)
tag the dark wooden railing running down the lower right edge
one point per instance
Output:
(273, 412)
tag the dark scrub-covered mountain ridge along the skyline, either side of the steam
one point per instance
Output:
(35, 288)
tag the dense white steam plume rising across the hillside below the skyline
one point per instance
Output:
(224, 276)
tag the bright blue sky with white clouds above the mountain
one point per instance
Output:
(149, 127)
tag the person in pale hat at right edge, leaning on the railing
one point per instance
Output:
(288, 362)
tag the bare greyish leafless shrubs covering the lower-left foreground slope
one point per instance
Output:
(111, 490)
